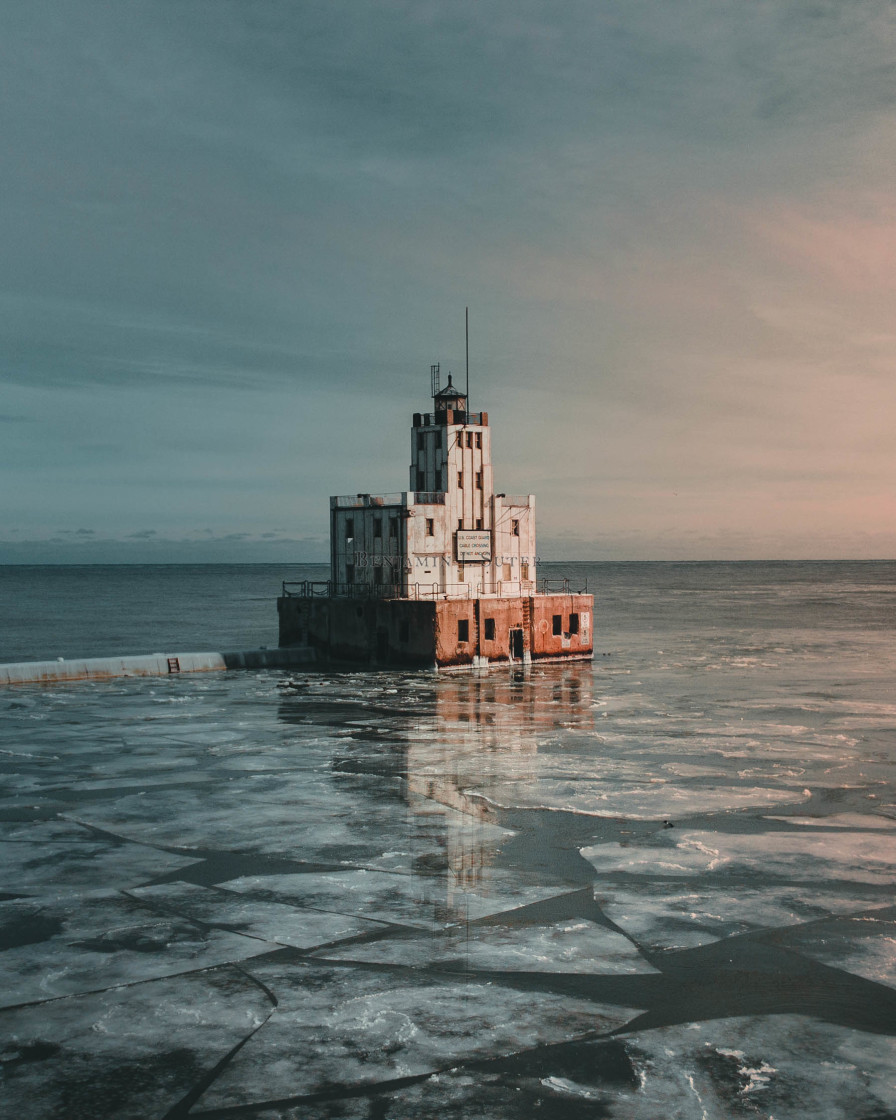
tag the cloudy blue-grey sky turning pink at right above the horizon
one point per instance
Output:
(237, 235)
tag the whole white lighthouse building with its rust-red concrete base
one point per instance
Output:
(444, 574)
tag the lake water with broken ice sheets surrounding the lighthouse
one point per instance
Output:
(656, 886)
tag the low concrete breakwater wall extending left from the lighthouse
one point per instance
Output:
(151, 665)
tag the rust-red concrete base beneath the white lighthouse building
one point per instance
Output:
(442, 633)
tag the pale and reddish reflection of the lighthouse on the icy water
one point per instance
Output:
(482, 757)
